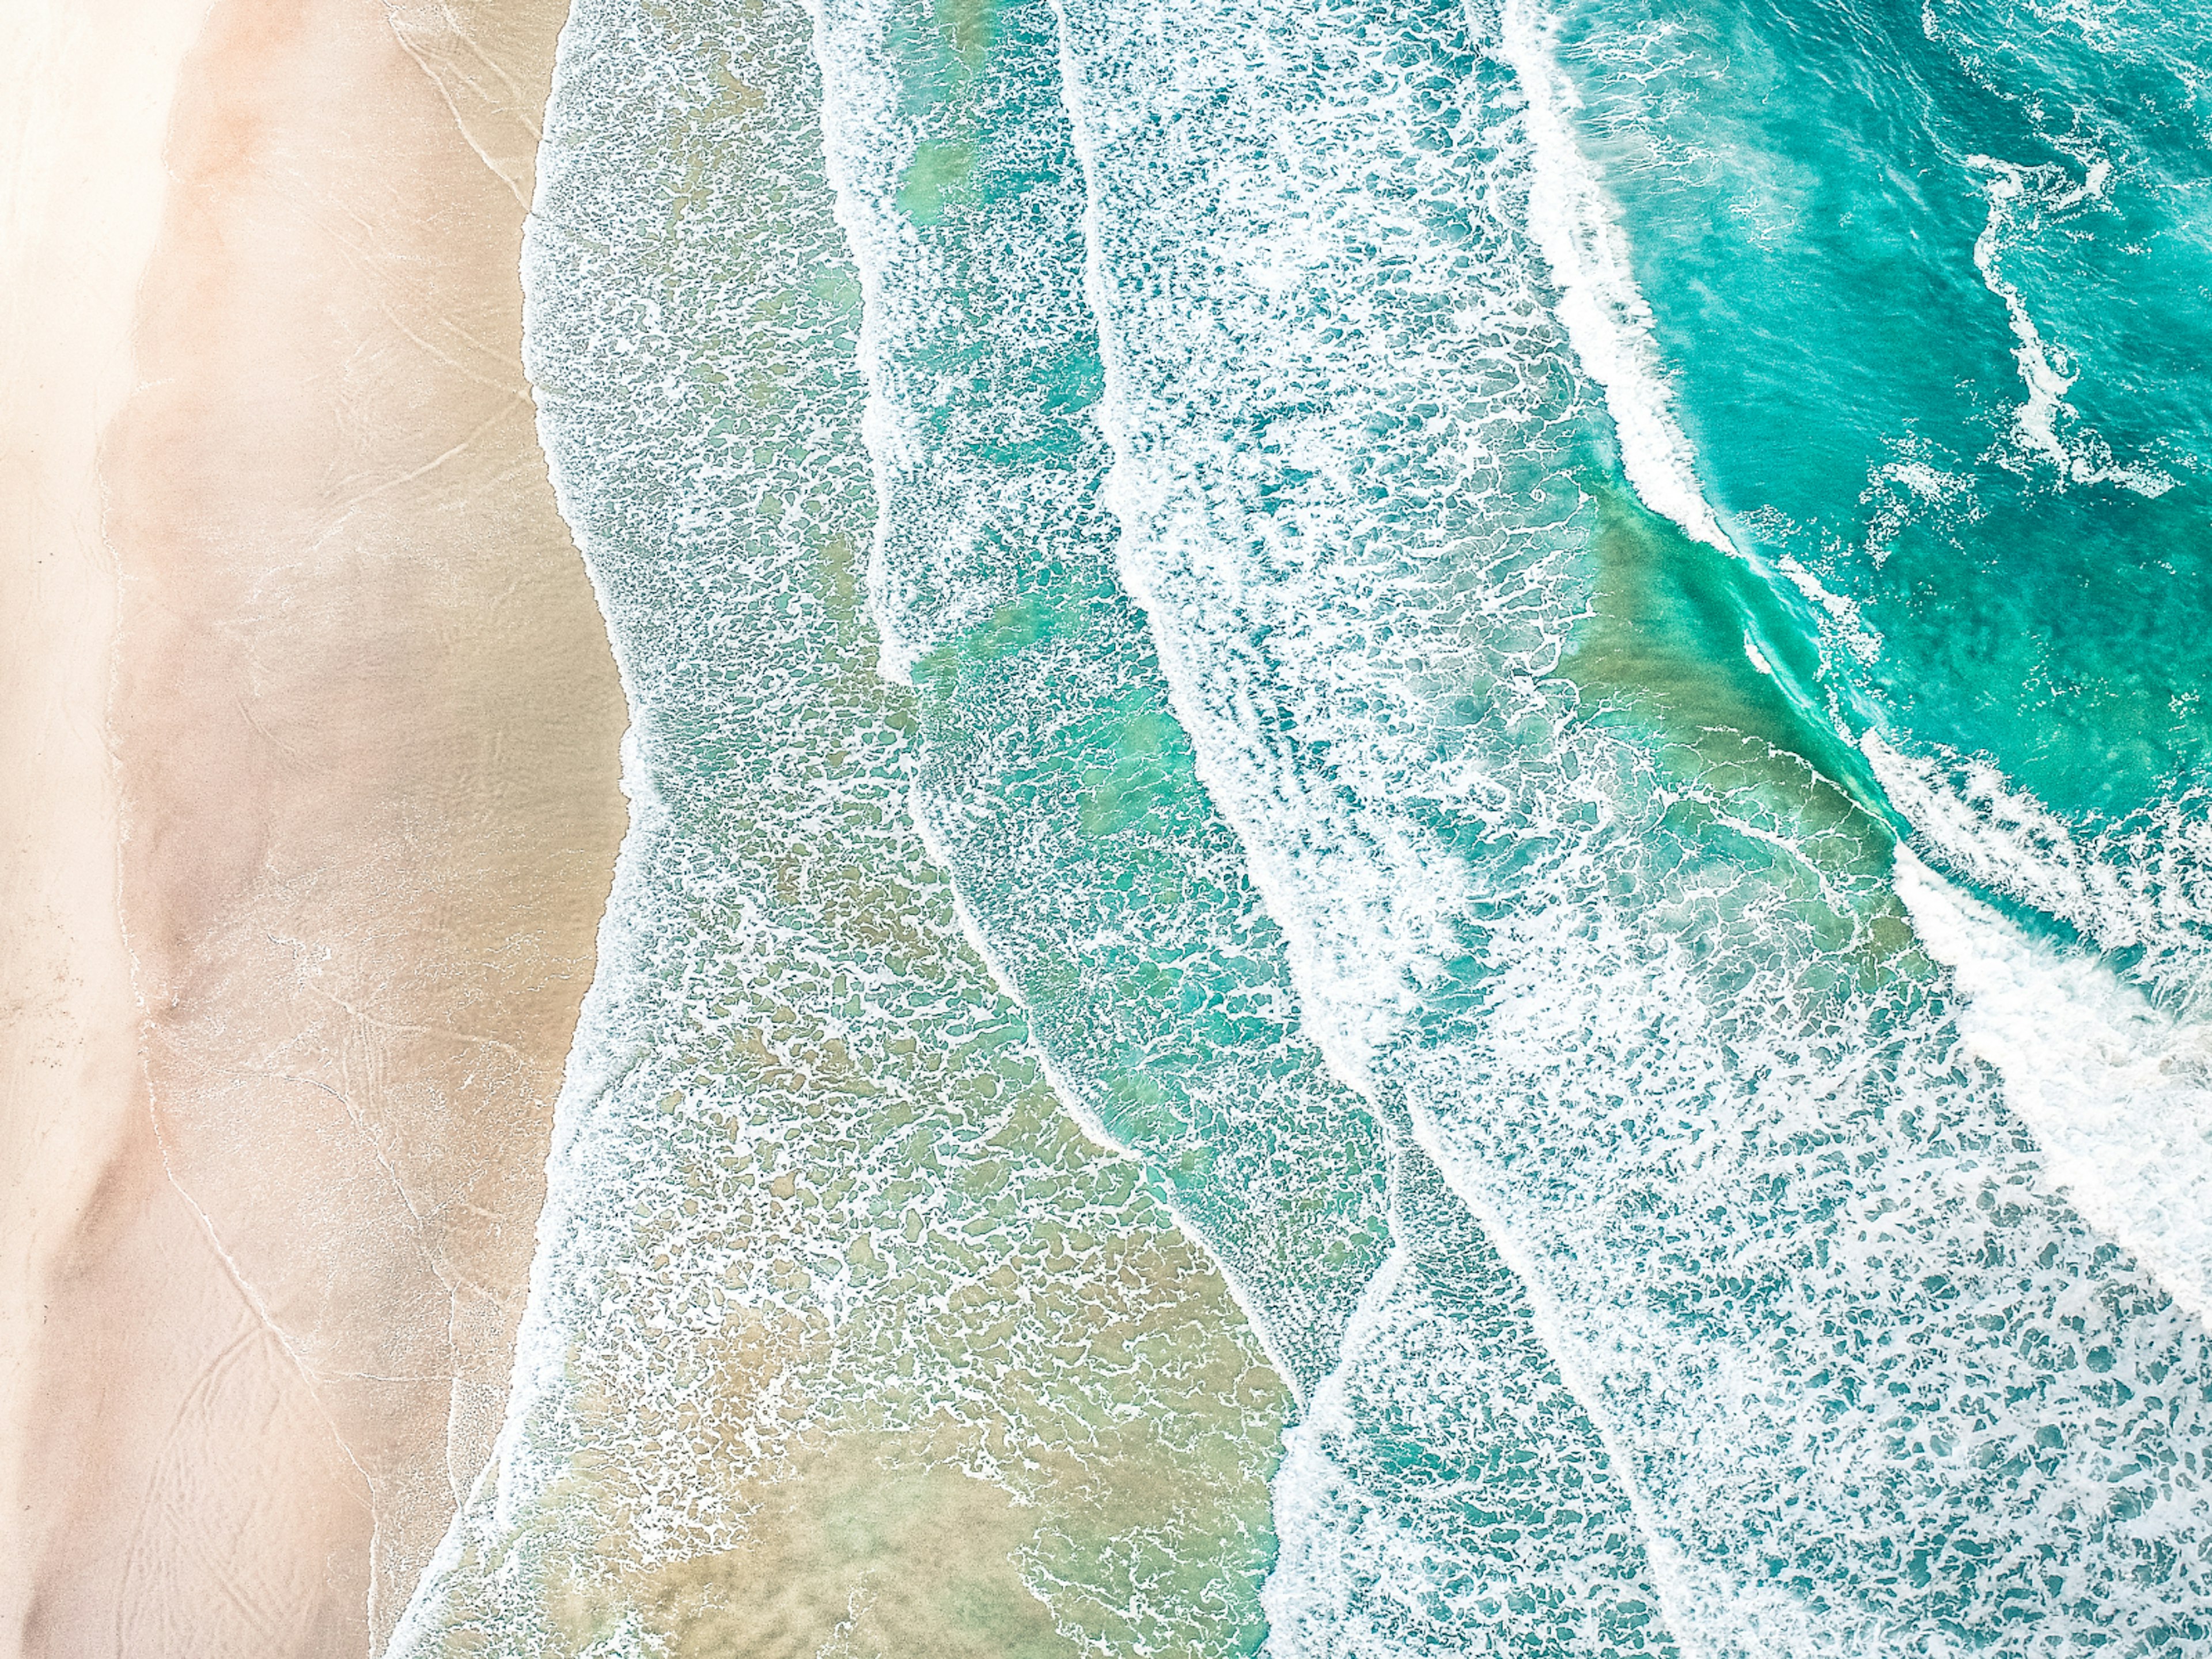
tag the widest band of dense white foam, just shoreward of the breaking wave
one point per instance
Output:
(1766, 1218)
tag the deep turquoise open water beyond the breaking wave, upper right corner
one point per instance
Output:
(1976, 200)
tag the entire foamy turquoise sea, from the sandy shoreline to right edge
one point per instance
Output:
(1421, 835)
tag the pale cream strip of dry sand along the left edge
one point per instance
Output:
(85, 90)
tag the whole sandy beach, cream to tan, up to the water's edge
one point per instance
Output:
(364, 740)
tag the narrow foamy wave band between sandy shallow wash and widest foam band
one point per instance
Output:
(957, 532)
